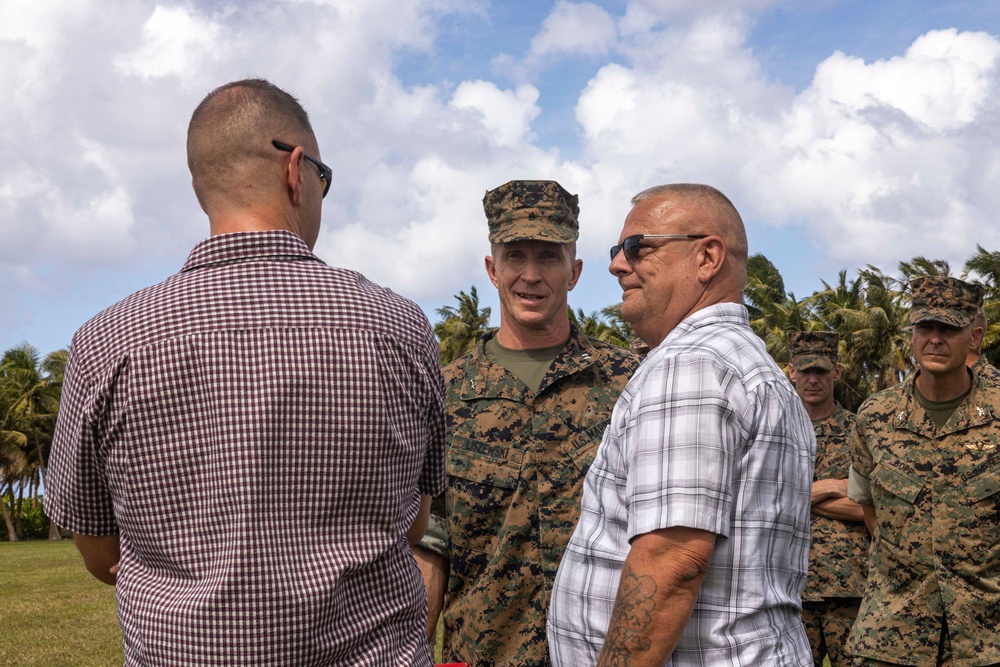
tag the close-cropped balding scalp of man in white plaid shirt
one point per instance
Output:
(707, 211)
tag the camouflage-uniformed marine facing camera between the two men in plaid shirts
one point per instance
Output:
(526, 411)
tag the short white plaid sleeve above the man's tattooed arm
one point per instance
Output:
(679, 446)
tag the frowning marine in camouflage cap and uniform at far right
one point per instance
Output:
(926, 469)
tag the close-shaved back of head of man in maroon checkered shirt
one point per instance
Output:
(229, 142)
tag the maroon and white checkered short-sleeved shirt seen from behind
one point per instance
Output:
(256, 429)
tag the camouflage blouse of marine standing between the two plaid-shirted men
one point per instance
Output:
(515, 462)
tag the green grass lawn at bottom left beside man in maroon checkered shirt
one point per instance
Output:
(53, 612)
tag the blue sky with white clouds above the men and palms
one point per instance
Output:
(847, 133)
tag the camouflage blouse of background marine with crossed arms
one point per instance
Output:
(838, 556)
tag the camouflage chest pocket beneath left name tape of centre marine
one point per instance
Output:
(481, 489)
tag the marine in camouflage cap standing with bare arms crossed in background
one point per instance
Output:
(838, 554)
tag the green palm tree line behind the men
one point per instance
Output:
(869, 312)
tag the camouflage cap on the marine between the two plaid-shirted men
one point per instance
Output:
(532, 210)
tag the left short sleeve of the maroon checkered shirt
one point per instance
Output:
(77, 496)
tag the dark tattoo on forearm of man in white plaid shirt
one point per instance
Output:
(632, 615)
